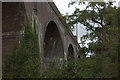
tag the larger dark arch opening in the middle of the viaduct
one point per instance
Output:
(52, 41)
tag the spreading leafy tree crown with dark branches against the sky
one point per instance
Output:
(100, 20)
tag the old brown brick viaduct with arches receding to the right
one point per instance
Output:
(54, 37)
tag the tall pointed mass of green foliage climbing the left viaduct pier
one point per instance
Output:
(25, 61)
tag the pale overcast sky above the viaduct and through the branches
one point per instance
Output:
(62, 5)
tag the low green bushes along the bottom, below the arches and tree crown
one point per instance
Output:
(98, 66)
